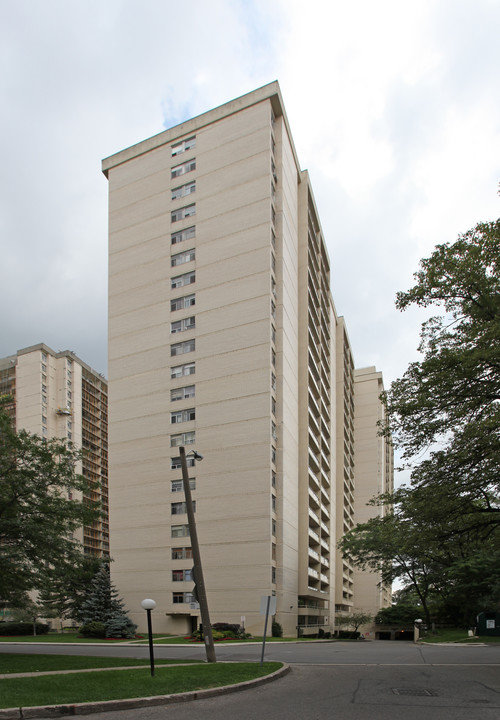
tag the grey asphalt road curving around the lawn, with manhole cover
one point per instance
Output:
(335, 681)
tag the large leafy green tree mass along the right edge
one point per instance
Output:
(440, 535)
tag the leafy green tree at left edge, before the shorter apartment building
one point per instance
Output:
(36, 517)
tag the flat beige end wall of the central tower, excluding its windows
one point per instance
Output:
(232, 378)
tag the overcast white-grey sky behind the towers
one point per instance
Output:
(394, 107)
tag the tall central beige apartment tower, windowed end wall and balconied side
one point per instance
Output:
(222, 337)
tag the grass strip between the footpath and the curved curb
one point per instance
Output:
(119, 684)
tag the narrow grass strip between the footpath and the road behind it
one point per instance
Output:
(14, 663)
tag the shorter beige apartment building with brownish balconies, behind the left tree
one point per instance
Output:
(57, 395)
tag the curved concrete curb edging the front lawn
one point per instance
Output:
(57, 711)
